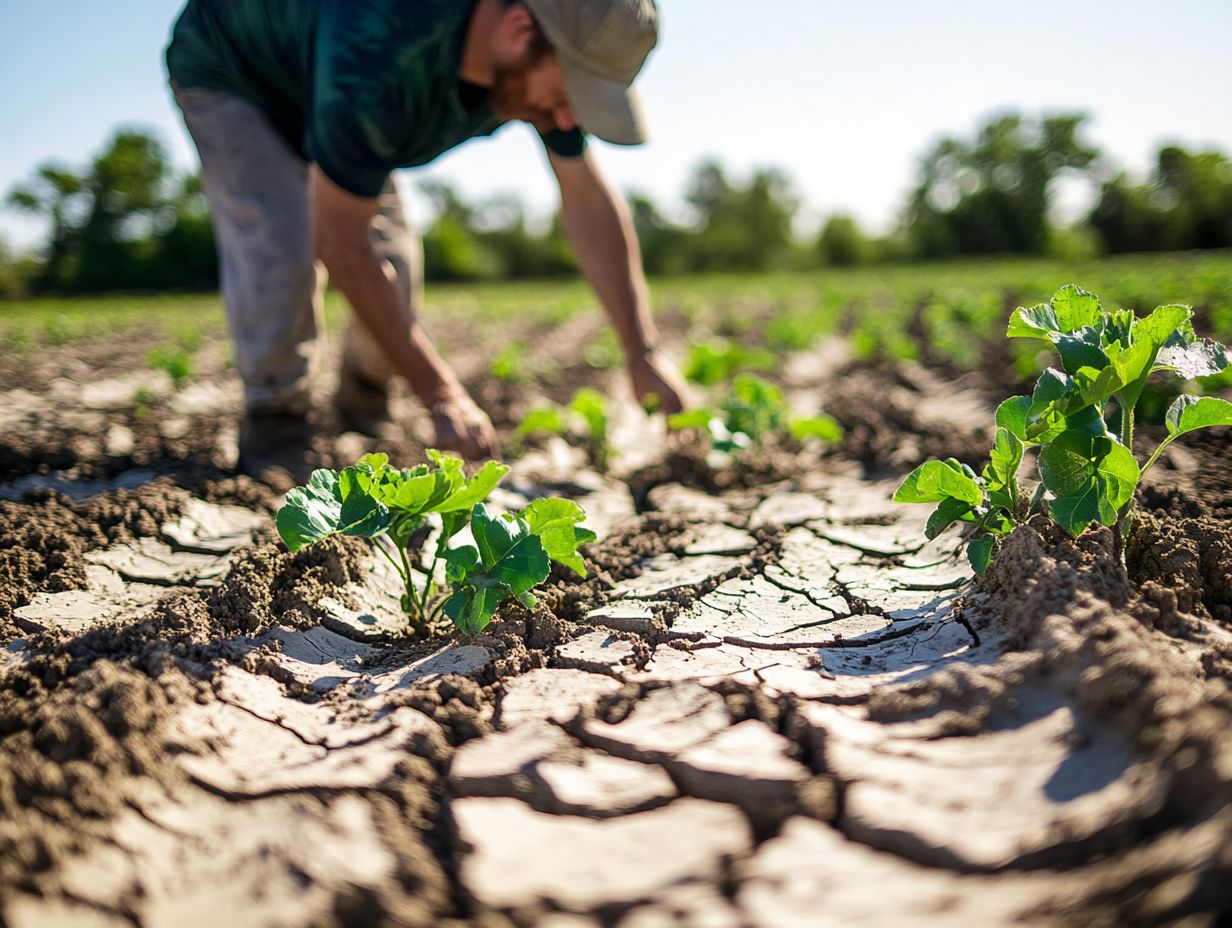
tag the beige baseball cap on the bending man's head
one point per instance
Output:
(602, 46)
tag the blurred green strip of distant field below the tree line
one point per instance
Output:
(891, 310)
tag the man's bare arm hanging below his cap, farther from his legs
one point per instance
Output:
(601, 231)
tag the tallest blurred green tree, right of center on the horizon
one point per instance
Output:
(992, 195)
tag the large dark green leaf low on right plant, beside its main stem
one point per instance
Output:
(1090, 479)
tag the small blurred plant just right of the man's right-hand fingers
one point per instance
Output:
(753, 411)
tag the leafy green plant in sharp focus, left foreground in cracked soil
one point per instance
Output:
(511, 556)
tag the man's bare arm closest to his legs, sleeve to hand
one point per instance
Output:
(341, 240)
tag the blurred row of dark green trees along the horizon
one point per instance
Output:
(128, 221)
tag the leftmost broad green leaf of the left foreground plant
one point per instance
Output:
(333, 503)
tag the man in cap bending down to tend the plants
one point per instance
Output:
(302, 109)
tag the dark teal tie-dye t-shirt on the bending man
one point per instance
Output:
(362, 88)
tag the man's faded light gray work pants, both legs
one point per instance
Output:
(258, 193)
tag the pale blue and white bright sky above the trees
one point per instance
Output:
(845, 97)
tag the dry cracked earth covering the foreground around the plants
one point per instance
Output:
(768, 707)
